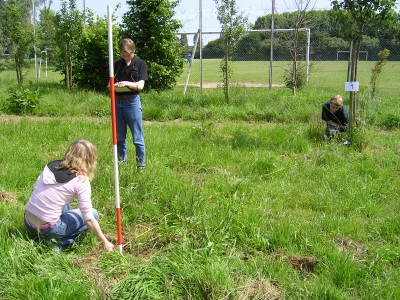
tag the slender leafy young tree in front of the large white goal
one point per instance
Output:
(234, 26)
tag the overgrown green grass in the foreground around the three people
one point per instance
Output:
(240, 200)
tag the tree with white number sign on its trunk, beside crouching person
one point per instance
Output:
(354, 15)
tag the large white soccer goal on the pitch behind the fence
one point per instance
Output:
(252, 64)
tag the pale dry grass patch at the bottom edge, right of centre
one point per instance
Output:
(261, 289)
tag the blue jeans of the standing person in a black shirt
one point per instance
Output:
(129, 114)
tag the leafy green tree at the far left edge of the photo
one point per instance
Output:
(18, 31)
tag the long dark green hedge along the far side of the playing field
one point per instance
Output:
(327, 35)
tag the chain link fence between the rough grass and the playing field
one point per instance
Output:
(327, 63)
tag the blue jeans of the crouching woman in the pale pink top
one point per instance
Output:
(66, 230)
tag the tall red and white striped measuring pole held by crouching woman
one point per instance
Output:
(114, 127)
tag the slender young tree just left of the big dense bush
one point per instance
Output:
(69, 27)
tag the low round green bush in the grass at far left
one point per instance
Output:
(22, 100)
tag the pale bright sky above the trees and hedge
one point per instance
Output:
(188, 10)
